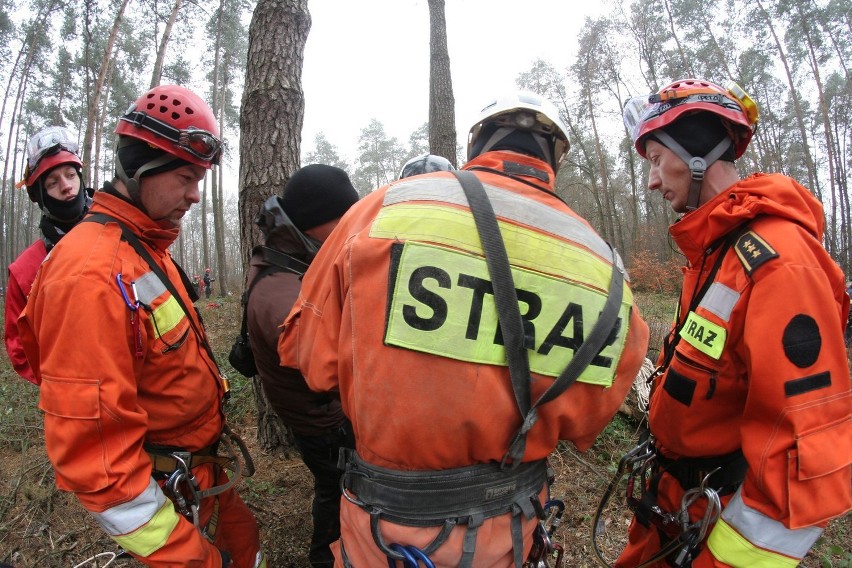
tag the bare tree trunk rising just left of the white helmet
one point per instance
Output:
(442, 116)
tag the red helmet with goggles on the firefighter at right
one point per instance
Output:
(643, 115)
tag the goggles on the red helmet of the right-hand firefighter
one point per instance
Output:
(641, 109)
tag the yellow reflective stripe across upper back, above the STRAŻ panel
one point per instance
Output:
(526, 248)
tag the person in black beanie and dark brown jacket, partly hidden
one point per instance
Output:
(294, 226)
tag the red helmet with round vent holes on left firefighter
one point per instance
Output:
(176, 120)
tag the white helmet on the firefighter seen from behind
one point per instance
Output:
(522, 110)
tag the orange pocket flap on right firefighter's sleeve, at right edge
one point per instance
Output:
(826, 450)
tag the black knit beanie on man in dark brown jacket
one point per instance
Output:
(317, 194)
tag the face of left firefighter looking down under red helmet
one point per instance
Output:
(169, 195)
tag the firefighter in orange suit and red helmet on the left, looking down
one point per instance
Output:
(131, 394)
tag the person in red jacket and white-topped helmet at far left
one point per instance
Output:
(54, 181)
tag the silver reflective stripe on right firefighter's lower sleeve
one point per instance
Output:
(768, 533)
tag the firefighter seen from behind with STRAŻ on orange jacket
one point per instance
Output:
(397, 311)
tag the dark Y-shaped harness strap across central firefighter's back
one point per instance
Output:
(511, 323)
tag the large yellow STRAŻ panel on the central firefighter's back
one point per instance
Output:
(442, 302)
